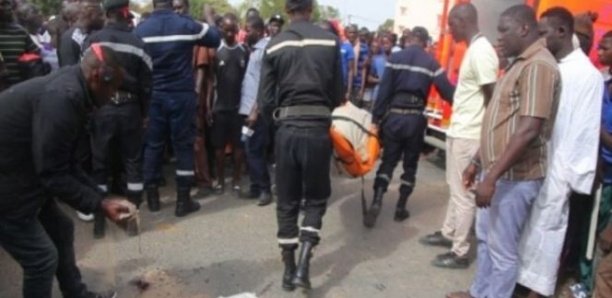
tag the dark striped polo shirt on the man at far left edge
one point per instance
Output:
(14, 41)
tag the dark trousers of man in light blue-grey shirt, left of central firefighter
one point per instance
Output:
(256, 151)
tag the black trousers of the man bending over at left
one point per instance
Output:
(44, 247)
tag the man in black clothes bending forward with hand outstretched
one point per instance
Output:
(40, 123)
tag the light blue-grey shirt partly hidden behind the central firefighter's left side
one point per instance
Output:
(250, 84)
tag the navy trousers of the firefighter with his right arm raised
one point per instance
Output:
(174, 111)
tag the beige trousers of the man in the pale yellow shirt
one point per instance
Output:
(461, 206)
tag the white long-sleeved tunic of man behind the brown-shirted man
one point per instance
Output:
(574, 142)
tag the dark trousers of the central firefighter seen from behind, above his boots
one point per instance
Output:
(302, 171)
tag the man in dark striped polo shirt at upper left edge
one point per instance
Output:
(14, 42)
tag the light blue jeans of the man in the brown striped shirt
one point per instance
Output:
(498, 232)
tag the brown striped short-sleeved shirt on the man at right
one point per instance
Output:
(530, 87)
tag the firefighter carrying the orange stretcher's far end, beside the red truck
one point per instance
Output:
(398, 110)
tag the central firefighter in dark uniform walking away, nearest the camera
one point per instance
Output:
(301, 83)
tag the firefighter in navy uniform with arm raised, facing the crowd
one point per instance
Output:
(169, 39)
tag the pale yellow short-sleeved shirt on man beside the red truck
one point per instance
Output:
(478, 68)
